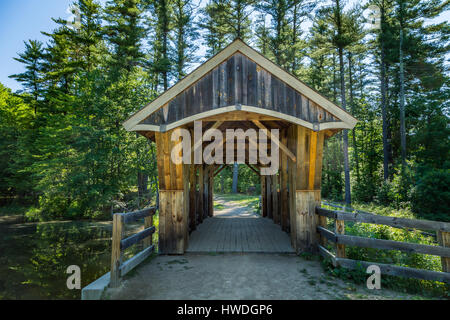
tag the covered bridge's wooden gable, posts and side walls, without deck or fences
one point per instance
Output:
(238, 88)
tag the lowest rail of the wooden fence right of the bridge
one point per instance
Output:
(399, 271)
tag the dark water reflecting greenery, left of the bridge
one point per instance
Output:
(34, 257)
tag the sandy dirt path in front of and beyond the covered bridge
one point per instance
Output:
(239, 275)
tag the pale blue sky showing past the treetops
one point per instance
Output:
(21, 20)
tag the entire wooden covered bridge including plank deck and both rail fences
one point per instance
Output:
(240, 89)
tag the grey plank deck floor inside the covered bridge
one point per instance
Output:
(237, 229)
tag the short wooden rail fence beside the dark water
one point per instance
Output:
(119, 268)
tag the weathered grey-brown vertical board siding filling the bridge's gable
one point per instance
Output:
(239, 80)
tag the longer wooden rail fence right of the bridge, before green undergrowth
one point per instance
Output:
(341, 240)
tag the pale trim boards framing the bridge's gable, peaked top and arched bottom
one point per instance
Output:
(341, 118)
